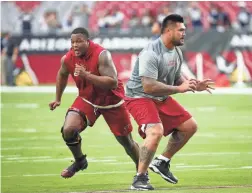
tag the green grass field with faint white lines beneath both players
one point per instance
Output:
(217, 159)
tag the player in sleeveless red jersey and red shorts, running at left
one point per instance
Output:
(100, 93)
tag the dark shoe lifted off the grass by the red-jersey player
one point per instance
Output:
(75, 167)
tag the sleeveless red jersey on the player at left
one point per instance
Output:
(95, 95)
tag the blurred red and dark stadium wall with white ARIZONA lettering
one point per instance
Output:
(218, 54)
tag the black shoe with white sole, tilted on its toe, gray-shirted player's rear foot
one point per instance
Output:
(162, 168)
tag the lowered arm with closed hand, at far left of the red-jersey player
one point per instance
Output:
(61, 82)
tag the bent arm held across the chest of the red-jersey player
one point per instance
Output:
(107, 70)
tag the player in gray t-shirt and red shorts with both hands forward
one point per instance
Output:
(156, 76)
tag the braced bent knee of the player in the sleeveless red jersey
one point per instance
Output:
(71, 136)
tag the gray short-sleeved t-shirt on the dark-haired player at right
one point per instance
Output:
(157, 62)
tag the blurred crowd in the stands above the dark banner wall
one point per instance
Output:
(52, 17)
